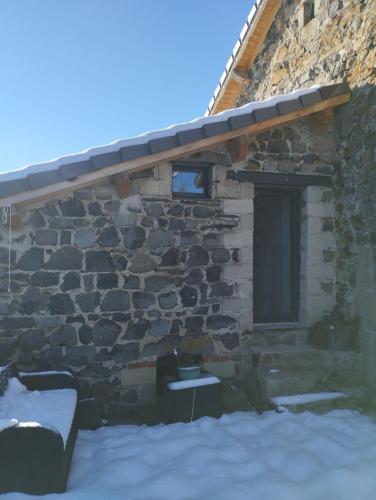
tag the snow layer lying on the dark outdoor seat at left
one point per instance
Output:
(53, 409)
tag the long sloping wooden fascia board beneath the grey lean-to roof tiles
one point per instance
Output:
(144, 162)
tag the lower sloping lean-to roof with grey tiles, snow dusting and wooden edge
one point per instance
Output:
(70, 171)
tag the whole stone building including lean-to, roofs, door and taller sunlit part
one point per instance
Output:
(245, 236)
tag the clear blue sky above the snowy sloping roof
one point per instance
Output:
(80, 73)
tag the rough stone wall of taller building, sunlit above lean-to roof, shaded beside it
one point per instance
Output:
(337, 45)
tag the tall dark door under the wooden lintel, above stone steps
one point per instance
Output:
(276, 256)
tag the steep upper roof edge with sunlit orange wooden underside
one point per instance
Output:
(244, 53)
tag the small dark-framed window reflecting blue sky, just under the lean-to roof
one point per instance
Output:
(190, 181)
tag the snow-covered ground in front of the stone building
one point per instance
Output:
(242, 456)
